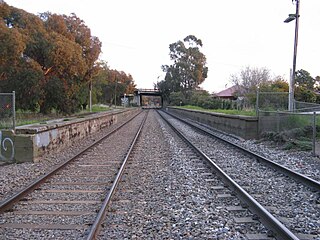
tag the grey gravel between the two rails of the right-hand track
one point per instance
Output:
(294, 204)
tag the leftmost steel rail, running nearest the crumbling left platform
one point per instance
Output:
(7, 203)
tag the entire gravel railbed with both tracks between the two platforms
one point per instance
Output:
(166, 191)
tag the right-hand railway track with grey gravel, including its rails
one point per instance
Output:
(286, 202)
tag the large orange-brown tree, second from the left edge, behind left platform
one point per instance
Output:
(76, 61)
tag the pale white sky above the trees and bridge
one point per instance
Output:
(136, 34)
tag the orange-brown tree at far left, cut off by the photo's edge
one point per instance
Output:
(18, 70)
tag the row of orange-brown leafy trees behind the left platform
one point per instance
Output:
(51, 61)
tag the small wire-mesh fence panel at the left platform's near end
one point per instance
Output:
(7, 111)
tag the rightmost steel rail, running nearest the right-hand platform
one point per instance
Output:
(307, 181)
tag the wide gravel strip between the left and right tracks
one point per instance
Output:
(170, 193)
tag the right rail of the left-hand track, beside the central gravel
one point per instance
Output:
(103, 210)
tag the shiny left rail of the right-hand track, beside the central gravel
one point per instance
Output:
(278, 229)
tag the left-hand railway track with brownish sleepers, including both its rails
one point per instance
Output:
(70, 201)
